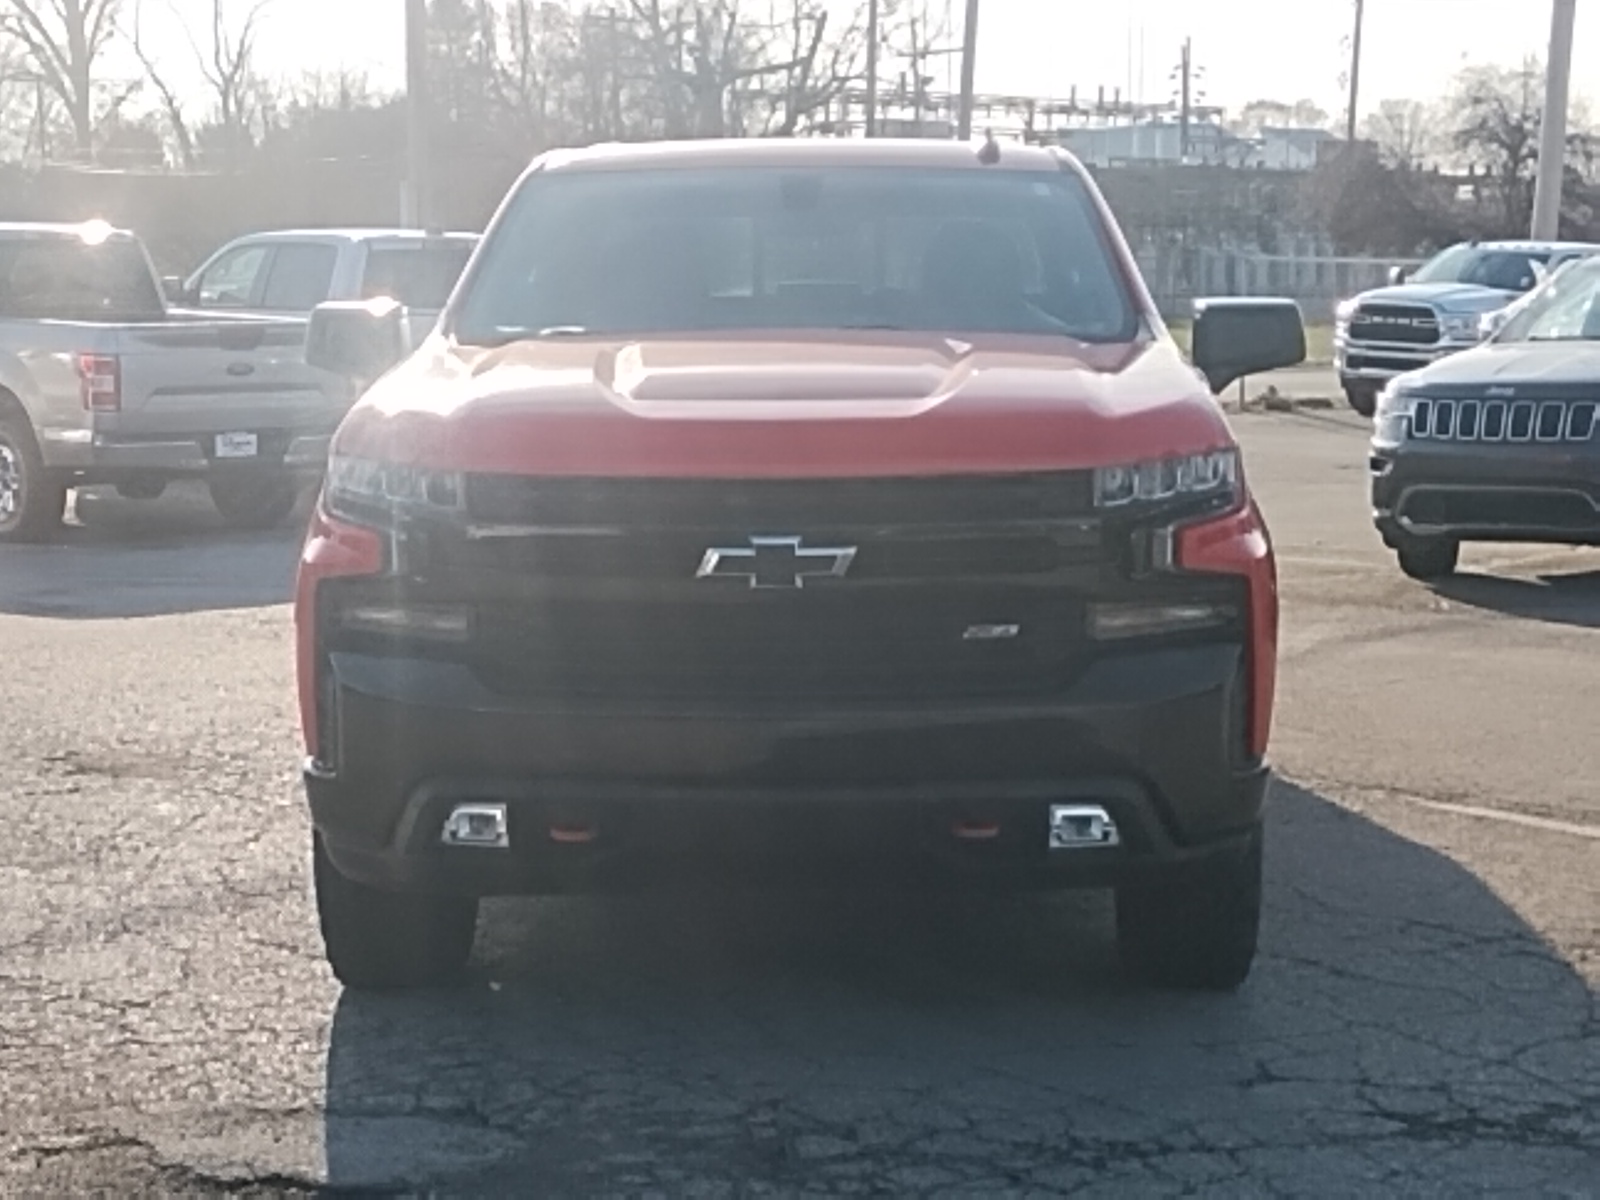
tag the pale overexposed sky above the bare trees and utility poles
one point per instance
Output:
(1249, 49)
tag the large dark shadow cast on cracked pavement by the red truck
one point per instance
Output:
(1404, 1025)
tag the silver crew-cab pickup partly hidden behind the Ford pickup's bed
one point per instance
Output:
(289, 273)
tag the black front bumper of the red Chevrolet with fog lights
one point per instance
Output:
(1156, 738)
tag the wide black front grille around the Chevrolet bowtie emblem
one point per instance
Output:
(958, 588)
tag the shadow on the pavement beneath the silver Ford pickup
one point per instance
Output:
(129, 559)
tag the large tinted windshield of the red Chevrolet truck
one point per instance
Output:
(778, 249)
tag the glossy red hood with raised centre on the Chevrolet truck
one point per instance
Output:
(842, 406)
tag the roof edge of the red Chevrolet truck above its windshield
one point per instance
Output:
(804, 153)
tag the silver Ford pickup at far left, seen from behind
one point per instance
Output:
(100, 383)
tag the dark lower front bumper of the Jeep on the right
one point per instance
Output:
(1487, 492)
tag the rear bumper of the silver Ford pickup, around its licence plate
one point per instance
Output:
(108, 458)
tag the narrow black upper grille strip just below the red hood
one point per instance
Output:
(777, 505)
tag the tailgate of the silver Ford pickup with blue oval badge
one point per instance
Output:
(202, 378)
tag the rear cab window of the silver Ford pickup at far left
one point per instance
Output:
(70, 279)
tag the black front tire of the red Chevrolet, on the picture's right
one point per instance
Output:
(1198, 930)
